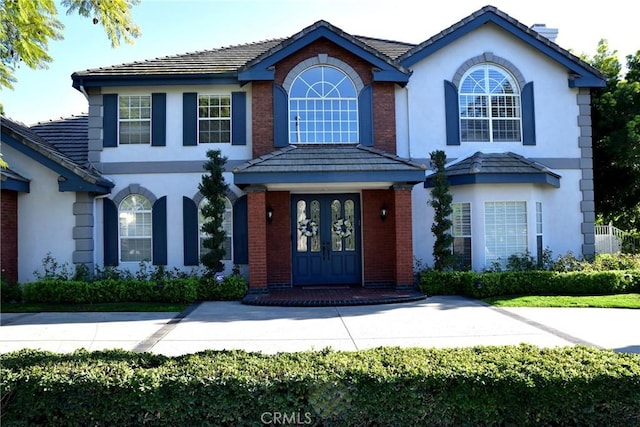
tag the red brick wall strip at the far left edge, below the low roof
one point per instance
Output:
(9, 235)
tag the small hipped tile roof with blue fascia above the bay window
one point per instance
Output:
(497, 168)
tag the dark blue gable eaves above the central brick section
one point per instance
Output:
(385, 68)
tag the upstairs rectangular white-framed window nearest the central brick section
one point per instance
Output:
(214, 119)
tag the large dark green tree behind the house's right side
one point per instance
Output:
(616, 140)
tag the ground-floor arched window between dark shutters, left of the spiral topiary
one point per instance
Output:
(135, 229)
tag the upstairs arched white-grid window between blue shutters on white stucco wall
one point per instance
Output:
(490, 109)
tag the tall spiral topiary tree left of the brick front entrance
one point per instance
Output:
(213, 188)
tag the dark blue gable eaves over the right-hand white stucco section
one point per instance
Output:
(581, 74)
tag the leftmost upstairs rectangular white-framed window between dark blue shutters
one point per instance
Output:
(134, 119)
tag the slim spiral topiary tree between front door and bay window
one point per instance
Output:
(441, 203)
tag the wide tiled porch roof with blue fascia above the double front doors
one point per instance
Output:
(315, 164)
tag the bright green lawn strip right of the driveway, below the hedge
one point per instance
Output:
(600, 301)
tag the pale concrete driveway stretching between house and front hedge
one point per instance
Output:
(434, 322)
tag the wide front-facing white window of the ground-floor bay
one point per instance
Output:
(504, 238)
